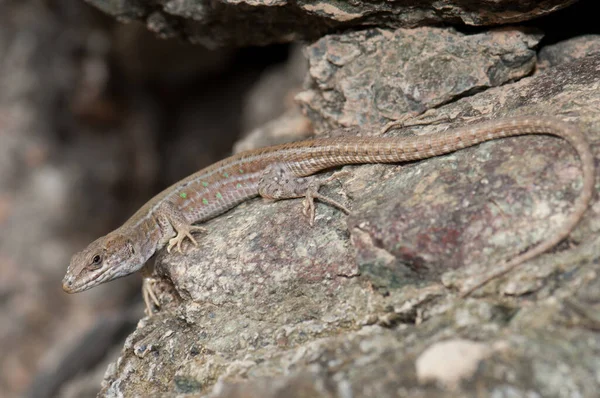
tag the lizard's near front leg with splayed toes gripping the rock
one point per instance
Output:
(174, 226)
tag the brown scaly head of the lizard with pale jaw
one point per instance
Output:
(107, 258)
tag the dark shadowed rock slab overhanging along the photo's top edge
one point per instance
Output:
(258, 22)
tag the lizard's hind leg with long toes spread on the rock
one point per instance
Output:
(277, 182)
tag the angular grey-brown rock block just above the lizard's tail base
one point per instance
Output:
(375, 75)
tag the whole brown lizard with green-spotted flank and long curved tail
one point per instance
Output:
(285, 172)
